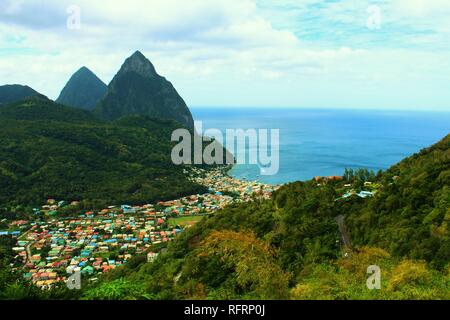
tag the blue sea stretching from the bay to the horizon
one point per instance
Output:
(325, 142)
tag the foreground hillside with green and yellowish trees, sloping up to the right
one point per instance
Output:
(290, 246)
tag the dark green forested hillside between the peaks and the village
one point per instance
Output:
(51, 151)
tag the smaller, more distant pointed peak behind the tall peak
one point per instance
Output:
(84, 90)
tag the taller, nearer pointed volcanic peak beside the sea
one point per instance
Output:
(138, 89)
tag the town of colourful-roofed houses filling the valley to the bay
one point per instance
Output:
(50, 250)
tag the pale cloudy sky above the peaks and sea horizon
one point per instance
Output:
(378, 54)
